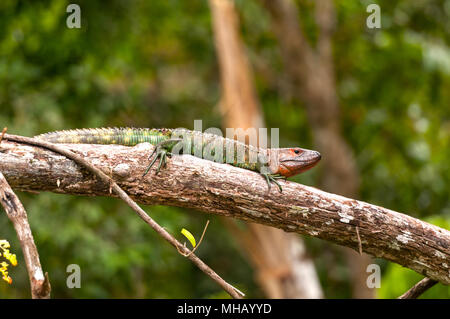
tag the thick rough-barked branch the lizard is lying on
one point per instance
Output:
(229, 191)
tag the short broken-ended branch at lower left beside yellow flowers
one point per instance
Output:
(40, 285)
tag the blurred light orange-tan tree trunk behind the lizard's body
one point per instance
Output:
(283, 268)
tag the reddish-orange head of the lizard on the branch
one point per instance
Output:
(293, 161)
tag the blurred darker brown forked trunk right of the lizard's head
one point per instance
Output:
(312, 74)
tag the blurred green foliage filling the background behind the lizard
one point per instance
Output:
(153, 64)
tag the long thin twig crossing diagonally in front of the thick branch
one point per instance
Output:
(232, 291)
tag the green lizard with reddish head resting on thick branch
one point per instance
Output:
(271, 163)
